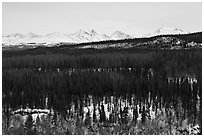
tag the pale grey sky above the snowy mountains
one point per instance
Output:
(134, 18)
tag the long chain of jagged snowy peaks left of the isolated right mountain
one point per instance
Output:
(56, 37)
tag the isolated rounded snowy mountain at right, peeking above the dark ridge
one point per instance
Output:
(165, 31)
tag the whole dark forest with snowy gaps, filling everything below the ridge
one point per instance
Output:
(109, 91)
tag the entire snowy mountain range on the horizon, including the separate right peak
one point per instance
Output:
(78, 37)
